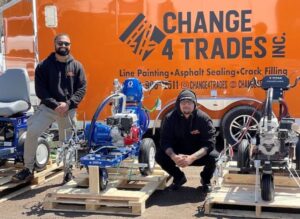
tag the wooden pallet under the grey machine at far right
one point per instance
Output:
(236, 197)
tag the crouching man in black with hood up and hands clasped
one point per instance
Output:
(187, 138)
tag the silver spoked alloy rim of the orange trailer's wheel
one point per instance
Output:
(238, 126)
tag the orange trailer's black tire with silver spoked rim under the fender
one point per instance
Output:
(234, 122)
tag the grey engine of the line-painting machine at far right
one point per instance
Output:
(274, 136)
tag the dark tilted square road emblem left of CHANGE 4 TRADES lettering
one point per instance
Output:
(142, 37)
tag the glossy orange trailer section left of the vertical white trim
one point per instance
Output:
(18, 35)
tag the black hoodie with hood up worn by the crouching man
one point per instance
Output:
(187, 136)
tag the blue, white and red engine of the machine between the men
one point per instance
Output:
(120, 130)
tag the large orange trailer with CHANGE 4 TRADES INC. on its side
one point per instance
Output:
(213, 47)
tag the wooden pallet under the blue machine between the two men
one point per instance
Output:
(126, 194)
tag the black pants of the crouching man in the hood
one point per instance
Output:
(208, 161)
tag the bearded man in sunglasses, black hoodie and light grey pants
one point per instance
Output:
(60, 84)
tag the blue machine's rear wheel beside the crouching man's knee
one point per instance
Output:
(147, 156)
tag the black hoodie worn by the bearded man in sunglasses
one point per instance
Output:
(60, 82)
